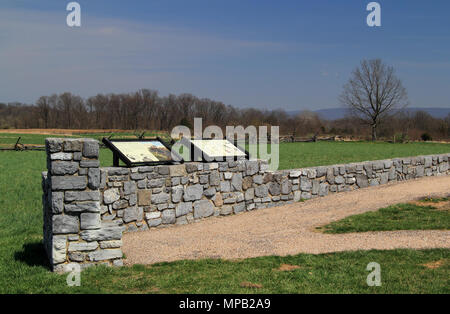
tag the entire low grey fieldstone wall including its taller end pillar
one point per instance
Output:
(86, 208)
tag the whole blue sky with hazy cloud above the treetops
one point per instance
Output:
(249, 53)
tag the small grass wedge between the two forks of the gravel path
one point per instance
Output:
(428, 214)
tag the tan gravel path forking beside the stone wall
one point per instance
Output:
(289, 229)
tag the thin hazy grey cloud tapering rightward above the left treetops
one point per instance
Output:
(40, 54)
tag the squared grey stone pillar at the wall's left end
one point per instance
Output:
(73, 231)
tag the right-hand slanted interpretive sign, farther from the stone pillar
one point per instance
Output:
(214, 149)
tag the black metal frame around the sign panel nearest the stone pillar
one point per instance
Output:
(117, 154)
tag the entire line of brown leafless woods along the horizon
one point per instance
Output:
(146, 110)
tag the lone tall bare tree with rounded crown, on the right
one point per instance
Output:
(373, 92)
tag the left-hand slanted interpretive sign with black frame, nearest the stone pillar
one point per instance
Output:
(140, 152)
